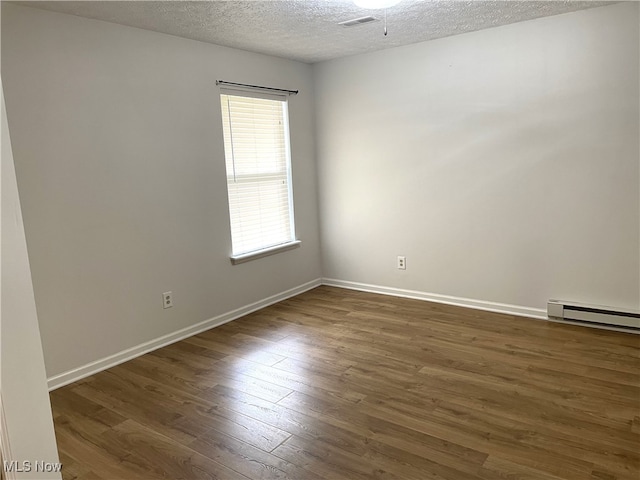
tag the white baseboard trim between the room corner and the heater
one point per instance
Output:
(517, 310)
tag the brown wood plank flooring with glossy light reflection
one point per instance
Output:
(338, 384)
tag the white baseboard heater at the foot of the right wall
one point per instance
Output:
(595, 315)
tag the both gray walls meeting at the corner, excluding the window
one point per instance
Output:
(502, 163)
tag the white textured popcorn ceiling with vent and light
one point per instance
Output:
(308, 30)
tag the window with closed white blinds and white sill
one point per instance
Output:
(256, 145)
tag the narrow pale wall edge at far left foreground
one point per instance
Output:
(29, 434)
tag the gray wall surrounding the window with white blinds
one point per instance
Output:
(119, 156)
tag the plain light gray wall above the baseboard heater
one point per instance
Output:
(503, 163)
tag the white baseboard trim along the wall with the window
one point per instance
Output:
(92, 368)
